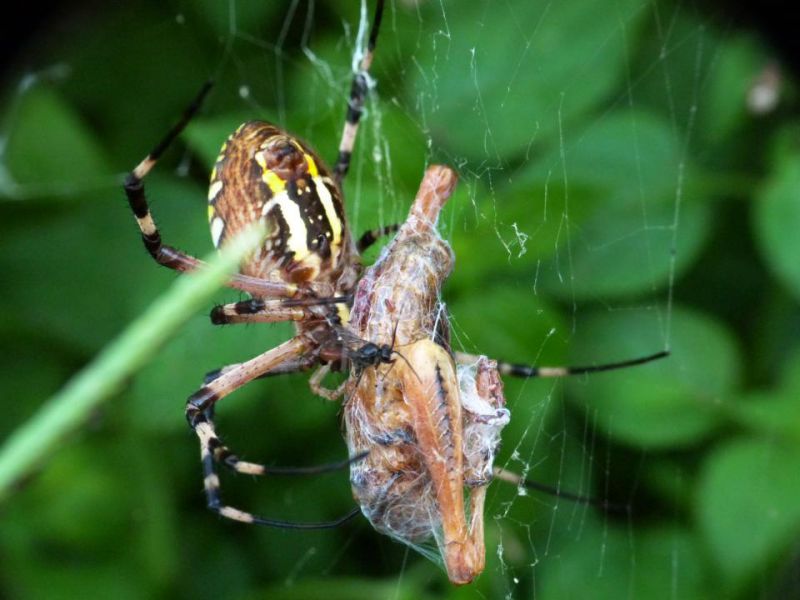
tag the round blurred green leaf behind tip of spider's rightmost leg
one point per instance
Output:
(671, 403)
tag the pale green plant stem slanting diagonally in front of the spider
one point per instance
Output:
(98, 381)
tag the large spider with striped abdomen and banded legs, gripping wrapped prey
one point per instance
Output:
(306, 271)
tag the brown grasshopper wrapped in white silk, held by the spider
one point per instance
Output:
(427, 428)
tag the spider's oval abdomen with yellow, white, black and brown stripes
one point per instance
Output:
(263, 173)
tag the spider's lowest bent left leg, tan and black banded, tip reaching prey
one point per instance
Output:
(198, 408)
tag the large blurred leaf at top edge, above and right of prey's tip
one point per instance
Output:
(567, 59)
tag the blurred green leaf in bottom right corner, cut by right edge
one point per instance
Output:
(747, 505)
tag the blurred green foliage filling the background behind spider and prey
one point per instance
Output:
(618, 196)
